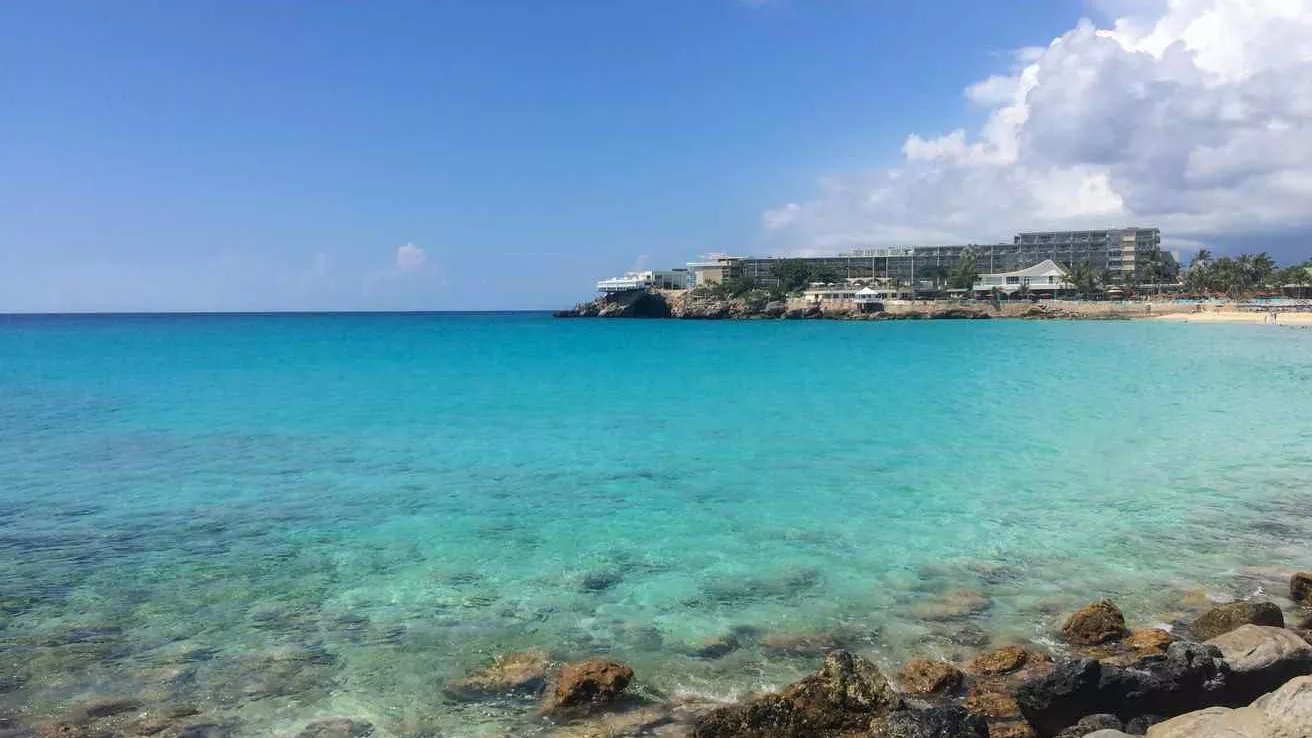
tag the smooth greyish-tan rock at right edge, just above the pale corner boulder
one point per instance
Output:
(1263, 659)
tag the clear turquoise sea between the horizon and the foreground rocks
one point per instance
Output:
(283, 518)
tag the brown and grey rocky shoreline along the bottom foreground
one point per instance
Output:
(1239, 670)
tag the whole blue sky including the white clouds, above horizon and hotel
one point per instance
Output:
(209, 156)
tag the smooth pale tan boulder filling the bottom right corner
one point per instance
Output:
(1285, 714)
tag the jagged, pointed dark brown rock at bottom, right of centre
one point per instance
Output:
(847, 694)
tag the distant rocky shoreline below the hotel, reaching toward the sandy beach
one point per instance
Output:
(696, 307)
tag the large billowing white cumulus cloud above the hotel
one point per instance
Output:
(1191, 115)
